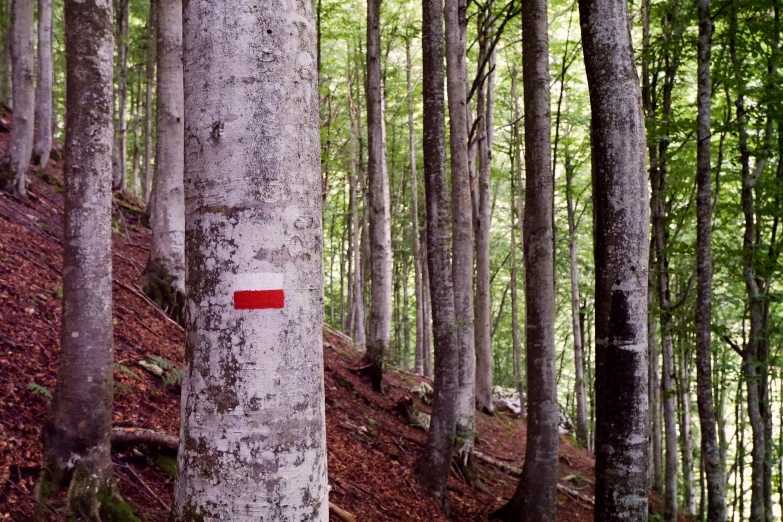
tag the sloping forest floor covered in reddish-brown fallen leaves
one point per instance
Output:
(372, 451)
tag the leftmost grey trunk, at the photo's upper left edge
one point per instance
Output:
(13, 167)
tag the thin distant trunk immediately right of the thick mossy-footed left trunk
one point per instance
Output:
(120, 155)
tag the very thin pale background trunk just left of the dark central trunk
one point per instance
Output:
(419, 354)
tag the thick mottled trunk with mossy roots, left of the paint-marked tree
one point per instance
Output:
(77, 454)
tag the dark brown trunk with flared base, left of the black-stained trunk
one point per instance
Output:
(534, 499)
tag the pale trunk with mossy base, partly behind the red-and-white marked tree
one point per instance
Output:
(164, 280)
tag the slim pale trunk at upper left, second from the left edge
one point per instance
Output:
(43, 88)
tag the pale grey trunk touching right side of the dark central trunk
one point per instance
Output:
(455, 12)
